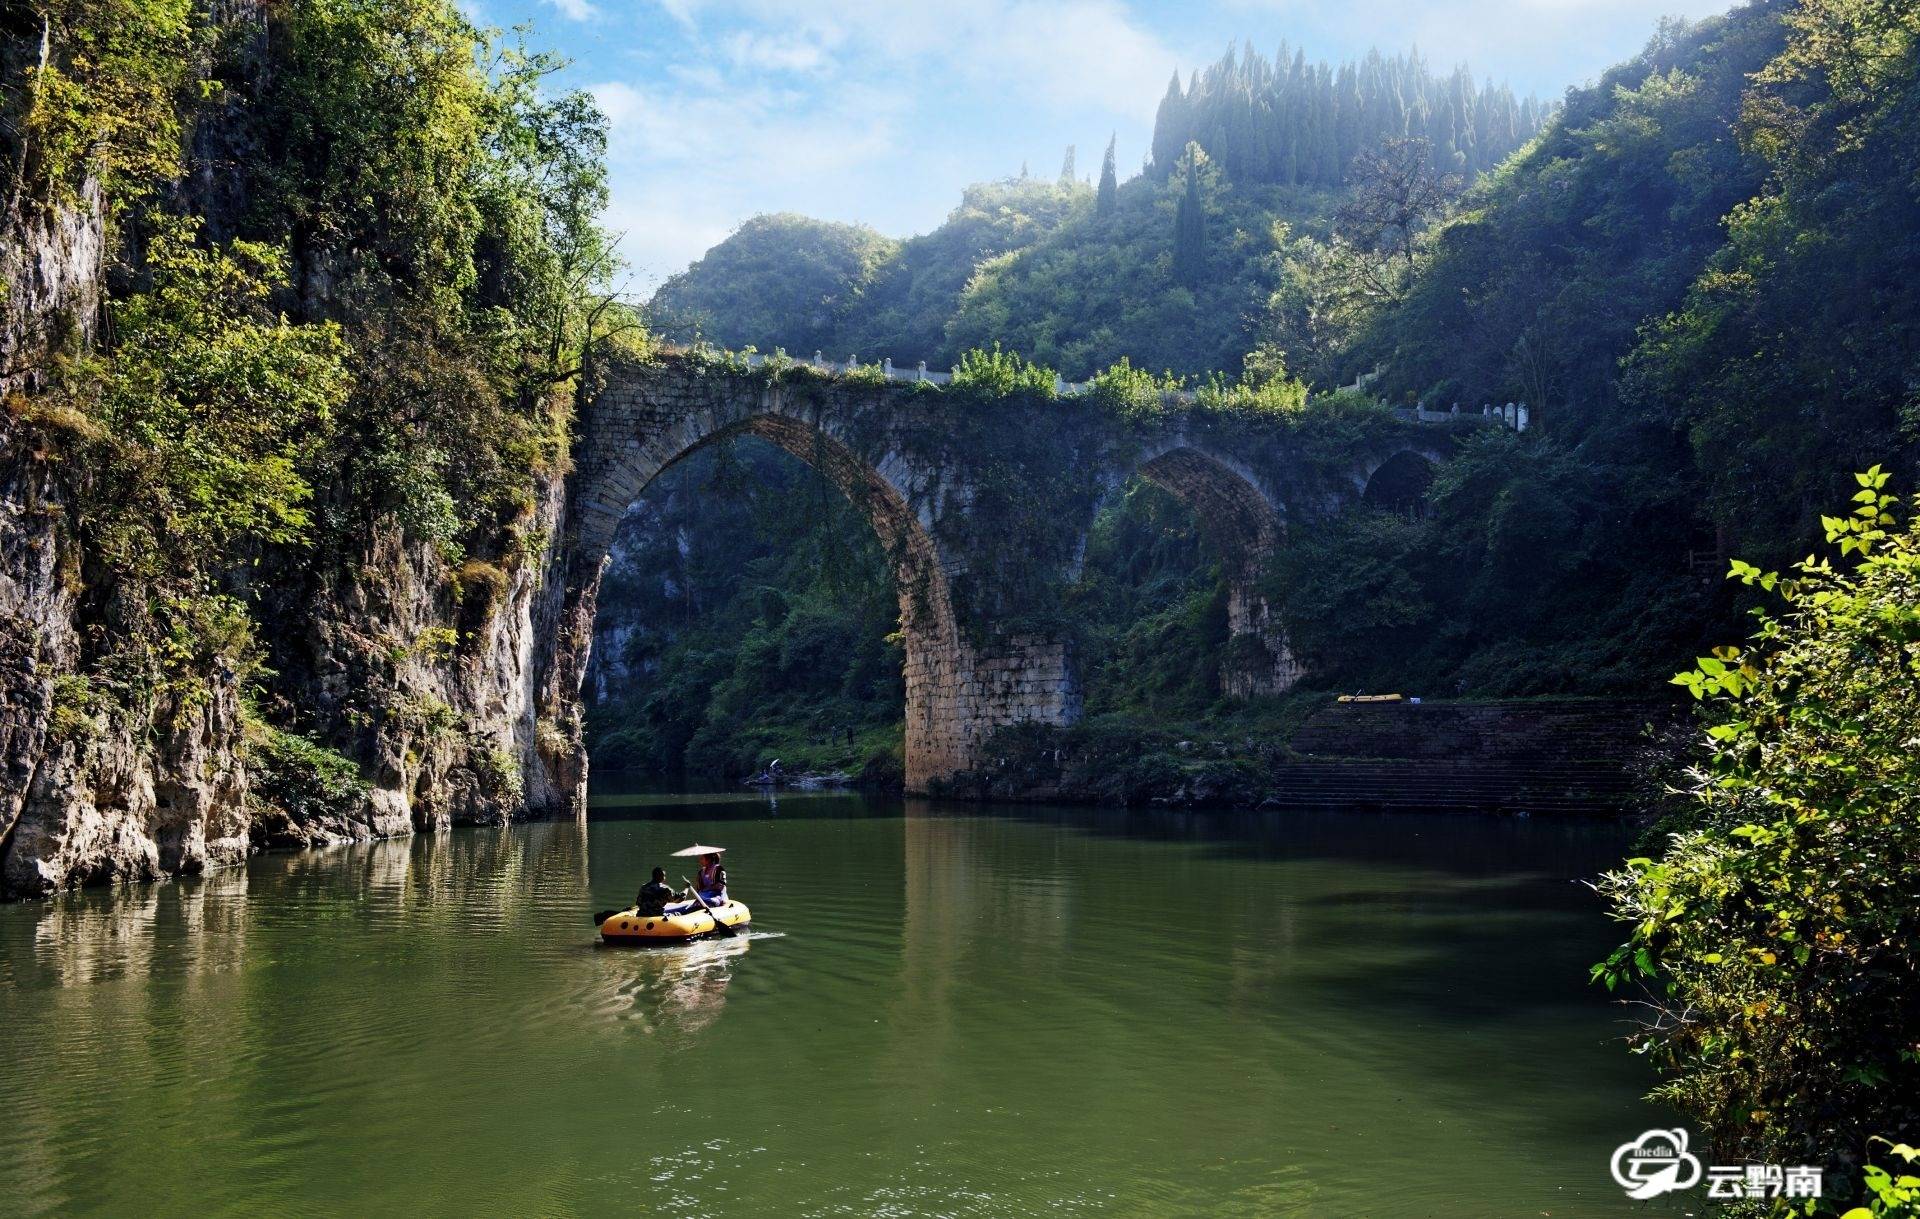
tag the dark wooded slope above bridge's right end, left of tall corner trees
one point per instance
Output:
(1543, 279)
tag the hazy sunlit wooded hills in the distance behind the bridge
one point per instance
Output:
(1166, 270)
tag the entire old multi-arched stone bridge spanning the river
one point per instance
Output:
(982, 504)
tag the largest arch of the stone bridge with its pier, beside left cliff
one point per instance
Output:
(961, 686)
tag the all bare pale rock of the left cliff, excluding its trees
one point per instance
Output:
(431, 688)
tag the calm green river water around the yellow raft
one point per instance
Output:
(940, 1013)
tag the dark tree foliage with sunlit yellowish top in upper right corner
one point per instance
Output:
(1794, 352)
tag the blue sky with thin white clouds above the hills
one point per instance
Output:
(882, 110)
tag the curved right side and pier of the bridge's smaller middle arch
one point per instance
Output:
(1245, 523)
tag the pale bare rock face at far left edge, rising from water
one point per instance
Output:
(80, 800)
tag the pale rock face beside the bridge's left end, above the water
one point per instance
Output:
(433, 688)
